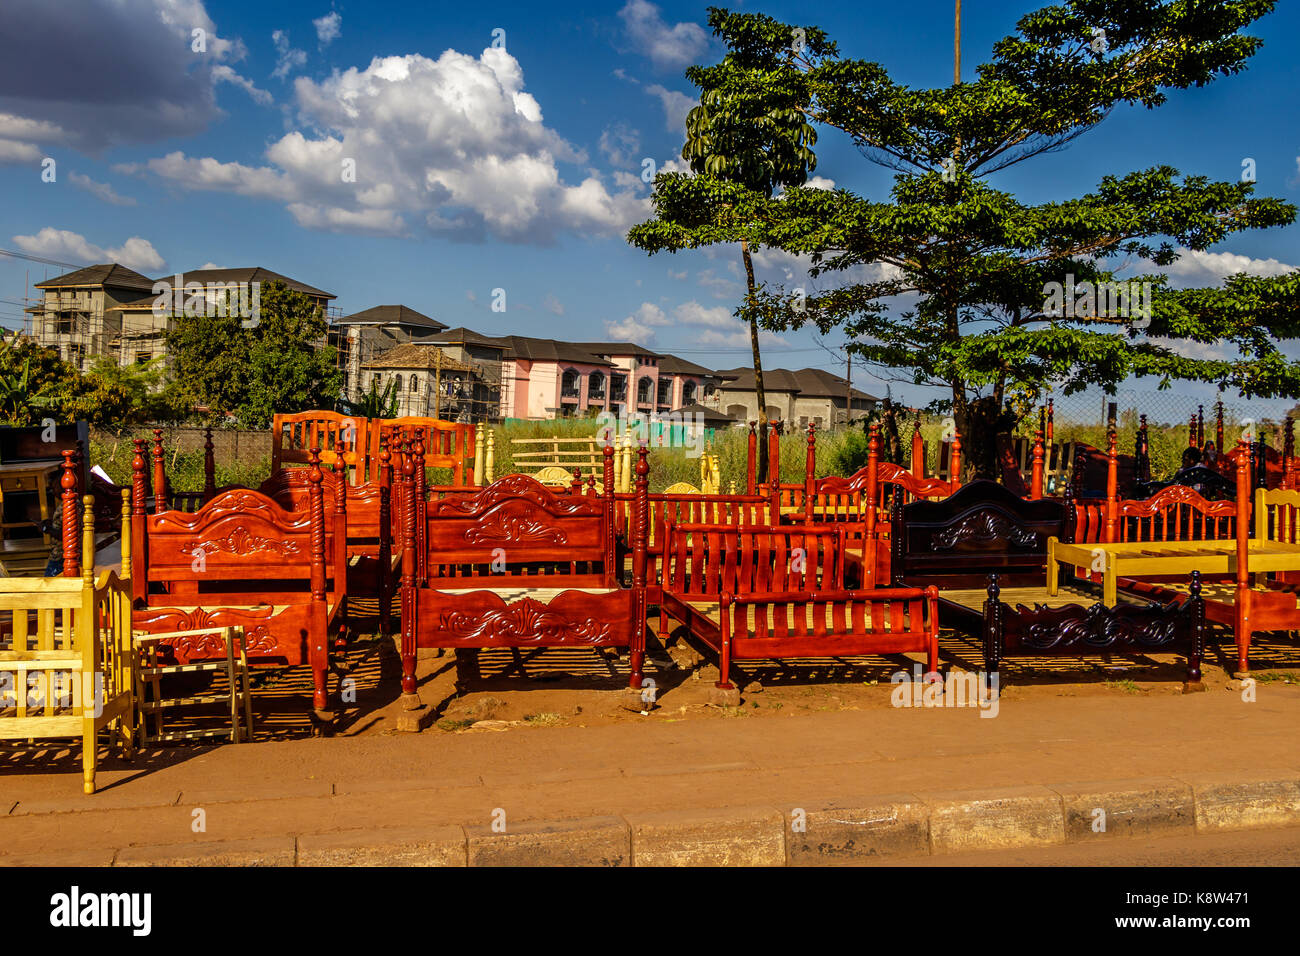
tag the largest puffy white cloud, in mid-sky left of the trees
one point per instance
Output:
(454, 146)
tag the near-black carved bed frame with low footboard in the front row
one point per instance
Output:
(987, 550)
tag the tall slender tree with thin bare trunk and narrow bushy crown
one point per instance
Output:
(751, 133)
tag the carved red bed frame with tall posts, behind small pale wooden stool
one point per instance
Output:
(244, 560)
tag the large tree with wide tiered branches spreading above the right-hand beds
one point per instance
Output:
(976, 262)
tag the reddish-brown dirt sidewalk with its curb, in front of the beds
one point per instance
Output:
(909, 782)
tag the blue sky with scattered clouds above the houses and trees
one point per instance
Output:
(483, 168)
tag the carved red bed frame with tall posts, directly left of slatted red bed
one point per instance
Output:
(518, 565)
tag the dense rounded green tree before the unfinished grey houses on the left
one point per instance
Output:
(274, 364)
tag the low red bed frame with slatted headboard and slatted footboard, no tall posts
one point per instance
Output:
(778, 592)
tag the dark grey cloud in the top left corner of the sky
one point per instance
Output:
(97, 73)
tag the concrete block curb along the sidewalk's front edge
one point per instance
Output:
(827, 833)
